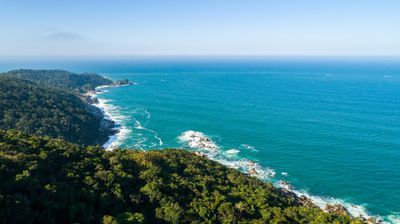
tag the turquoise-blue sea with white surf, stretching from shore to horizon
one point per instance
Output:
(328, 126)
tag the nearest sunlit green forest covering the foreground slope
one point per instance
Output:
(45, 180)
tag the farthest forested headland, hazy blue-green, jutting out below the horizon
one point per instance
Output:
(61, 79)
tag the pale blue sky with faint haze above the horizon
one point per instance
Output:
(199, 27)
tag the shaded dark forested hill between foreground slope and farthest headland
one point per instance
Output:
(35, 109)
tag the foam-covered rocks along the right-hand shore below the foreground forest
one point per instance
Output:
(203, 145)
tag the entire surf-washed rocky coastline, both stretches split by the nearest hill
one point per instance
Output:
(209, 150)
